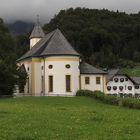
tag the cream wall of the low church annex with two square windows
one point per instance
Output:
(92, 86)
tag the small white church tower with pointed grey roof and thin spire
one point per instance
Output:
(37, 34)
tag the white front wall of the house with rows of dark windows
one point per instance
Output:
(125, 85)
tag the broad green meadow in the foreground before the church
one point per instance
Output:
(59, 118)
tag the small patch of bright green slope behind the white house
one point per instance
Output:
(133, 72)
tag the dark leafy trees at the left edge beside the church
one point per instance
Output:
(9, 52)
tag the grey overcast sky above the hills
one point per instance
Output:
(11, 10)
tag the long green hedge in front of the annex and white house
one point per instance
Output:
(112, 100)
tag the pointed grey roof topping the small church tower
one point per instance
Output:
(37, 32)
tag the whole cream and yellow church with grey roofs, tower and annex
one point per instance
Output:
(54, 68)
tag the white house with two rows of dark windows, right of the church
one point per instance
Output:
(121, 84)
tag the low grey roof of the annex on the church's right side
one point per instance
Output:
(86, 68)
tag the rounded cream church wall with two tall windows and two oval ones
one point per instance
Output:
(59, 71)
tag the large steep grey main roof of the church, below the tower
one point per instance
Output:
(53, 44)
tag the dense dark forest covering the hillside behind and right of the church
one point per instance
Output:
(103, 37)
